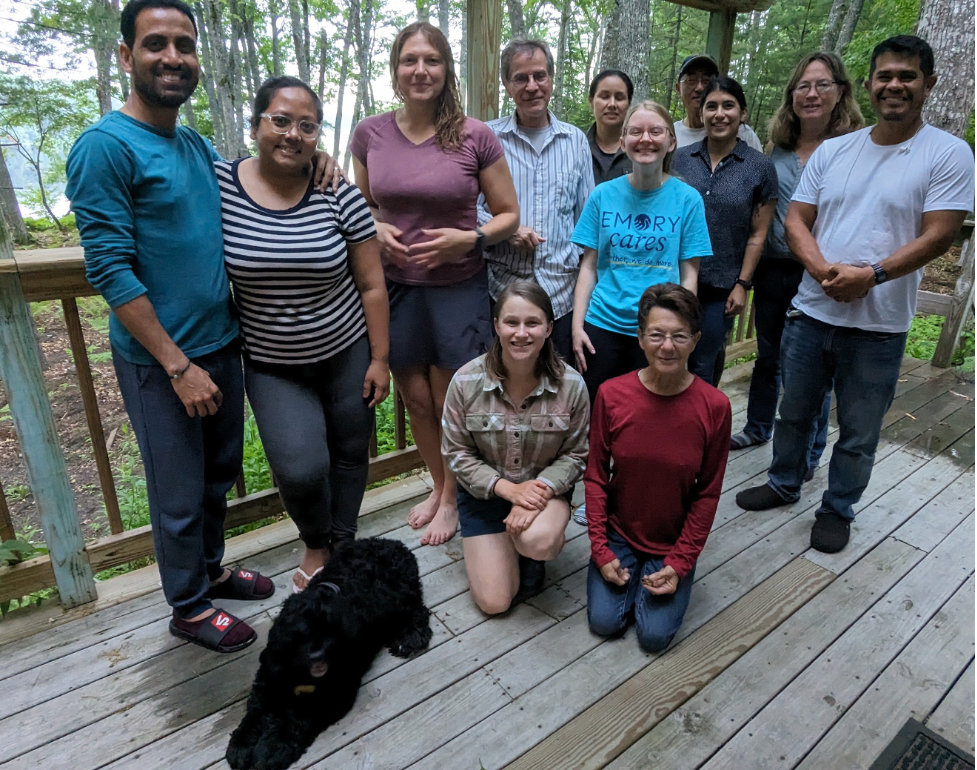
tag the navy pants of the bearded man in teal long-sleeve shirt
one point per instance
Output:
(191, 463)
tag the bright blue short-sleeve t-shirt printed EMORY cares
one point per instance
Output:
(640, 237)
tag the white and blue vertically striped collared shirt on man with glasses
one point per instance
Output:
(552, 187)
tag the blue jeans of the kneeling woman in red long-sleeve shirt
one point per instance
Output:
(657, 618)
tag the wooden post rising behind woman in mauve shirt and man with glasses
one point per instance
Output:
(484, 46)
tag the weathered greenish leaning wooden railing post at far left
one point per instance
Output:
(30, 409)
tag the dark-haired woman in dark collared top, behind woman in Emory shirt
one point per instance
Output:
(610, 97)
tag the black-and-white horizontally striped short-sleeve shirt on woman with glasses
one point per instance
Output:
(293, 285)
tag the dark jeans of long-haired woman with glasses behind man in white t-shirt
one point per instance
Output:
(775, 284)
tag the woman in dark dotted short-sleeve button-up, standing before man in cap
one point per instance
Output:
(739, 187)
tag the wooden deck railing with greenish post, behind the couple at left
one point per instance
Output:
(58, 274)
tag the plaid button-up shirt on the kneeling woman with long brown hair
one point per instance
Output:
(485, 436)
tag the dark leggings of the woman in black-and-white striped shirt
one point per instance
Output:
(316, 429)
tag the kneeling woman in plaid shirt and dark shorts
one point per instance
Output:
(515, 434)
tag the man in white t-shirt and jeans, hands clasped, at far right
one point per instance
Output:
(871, 209)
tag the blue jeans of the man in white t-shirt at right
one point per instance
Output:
(864, 367)
